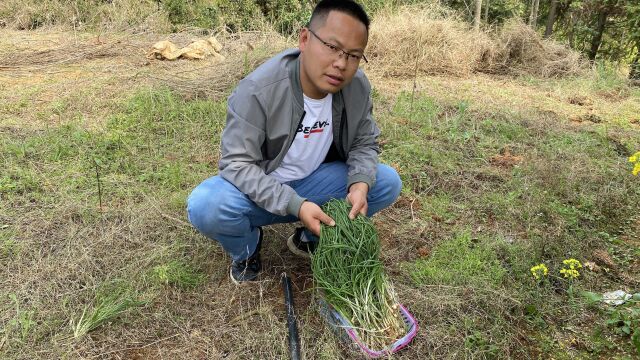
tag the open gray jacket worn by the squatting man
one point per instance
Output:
(263, 114)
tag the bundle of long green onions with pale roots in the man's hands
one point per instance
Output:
(347, 270)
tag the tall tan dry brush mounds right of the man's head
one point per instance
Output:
(428, 40)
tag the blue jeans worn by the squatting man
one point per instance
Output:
(221, 212)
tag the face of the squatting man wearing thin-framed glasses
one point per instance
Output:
(325, 70)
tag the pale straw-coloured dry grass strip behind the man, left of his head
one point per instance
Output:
(56, 68)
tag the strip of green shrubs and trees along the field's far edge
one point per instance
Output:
(607, 30)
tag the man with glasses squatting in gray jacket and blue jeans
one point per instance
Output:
(299, 133)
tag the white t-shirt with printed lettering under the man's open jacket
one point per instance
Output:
(311, 144)
